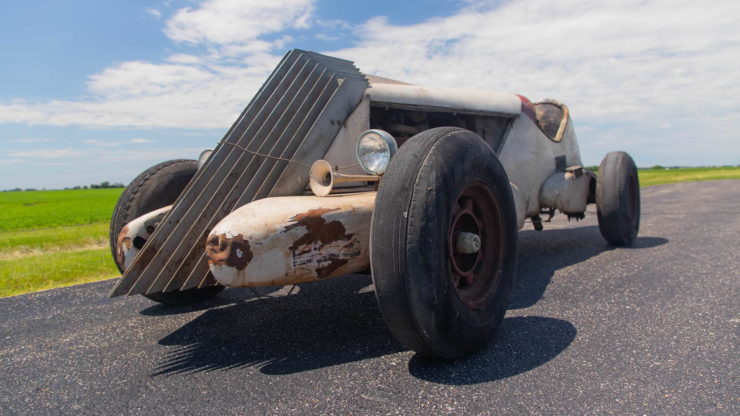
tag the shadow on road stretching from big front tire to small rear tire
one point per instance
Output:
(542, 253)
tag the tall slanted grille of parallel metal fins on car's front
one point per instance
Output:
(293, 117)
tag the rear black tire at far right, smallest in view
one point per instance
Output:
(618, 199)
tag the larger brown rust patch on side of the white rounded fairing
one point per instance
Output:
(325, 246)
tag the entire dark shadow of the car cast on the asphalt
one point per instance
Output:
(337, 321)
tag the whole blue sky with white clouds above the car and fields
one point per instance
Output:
(97, 91)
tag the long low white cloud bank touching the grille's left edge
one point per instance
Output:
(199, 103)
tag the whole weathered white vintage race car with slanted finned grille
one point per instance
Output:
(329, 172)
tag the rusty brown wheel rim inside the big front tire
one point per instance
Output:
(476, 275)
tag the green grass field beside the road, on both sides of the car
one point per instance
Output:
(50, 239)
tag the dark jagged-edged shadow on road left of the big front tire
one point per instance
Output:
(324, 324)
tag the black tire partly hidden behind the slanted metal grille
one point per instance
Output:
(155, 188)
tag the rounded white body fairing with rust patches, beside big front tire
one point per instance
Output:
(288, 240)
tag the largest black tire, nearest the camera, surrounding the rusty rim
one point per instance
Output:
(410, 259)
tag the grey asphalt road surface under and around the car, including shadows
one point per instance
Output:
(651, 329)
